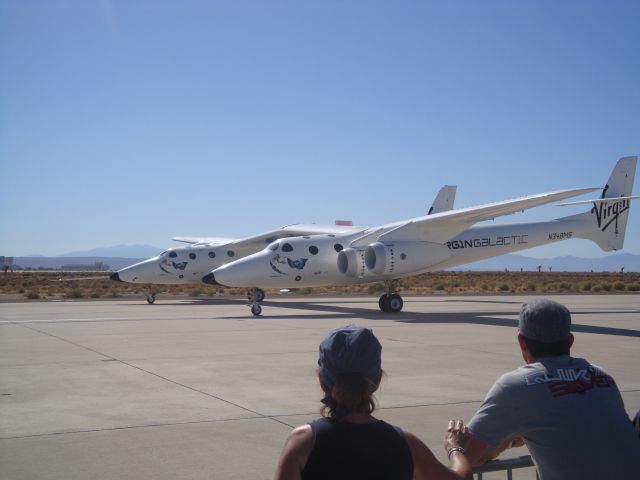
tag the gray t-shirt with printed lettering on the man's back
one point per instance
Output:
(571, 416)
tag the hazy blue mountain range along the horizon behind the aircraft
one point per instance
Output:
(121, 256)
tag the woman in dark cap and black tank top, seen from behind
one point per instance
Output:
(348, 442)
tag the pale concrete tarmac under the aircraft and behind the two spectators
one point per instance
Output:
(201, 389)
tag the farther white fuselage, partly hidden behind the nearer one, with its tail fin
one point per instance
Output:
(184, 265)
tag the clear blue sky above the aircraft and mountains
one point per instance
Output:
(133, 122)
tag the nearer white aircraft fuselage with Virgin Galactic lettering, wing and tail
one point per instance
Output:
(438, 241)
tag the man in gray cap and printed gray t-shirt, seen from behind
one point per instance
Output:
(567, 411)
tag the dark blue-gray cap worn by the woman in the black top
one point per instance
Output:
(350, 349)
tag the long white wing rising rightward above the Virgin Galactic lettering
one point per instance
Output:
(441, 227)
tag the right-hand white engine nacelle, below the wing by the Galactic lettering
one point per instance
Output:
(400, 258)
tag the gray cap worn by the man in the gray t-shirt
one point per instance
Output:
(545, 321)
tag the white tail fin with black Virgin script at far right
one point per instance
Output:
(607, 219)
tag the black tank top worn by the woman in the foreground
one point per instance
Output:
(372, 451)
